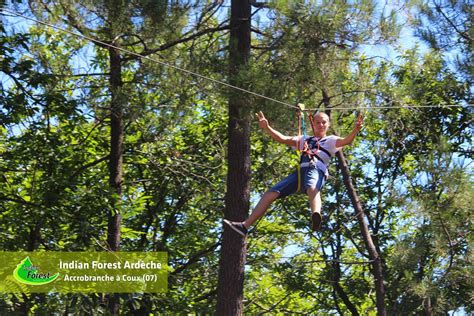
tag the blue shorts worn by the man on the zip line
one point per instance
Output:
(311, 177)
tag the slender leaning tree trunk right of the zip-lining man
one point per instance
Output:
(376, 269)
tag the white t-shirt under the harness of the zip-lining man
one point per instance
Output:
(327, 148)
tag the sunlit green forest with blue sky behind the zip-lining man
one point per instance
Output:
(102, 150)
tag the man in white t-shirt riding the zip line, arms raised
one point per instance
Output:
(316, 152)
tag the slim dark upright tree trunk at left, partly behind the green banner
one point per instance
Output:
(115, 162)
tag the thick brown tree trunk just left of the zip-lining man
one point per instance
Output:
(233, 249)
